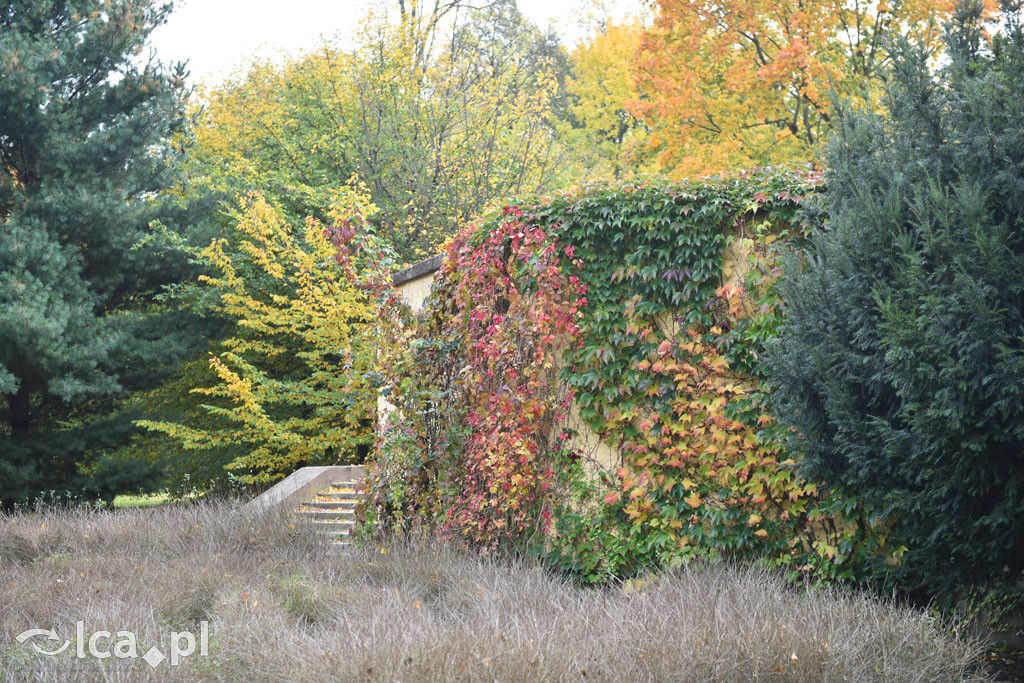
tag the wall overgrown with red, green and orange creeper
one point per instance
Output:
(584, 383)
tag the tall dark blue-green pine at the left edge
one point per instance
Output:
(86, 143)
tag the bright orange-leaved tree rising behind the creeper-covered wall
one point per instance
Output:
(740, 83)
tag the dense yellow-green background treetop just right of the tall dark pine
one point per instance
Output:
(282, 131)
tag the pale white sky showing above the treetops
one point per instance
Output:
(218, 36)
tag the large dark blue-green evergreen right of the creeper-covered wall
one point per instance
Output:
(901, 361)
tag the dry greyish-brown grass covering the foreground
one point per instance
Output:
(283, 607)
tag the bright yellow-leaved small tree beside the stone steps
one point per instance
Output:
(294, 382)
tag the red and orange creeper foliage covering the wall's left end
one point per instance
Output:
(508, 307)
